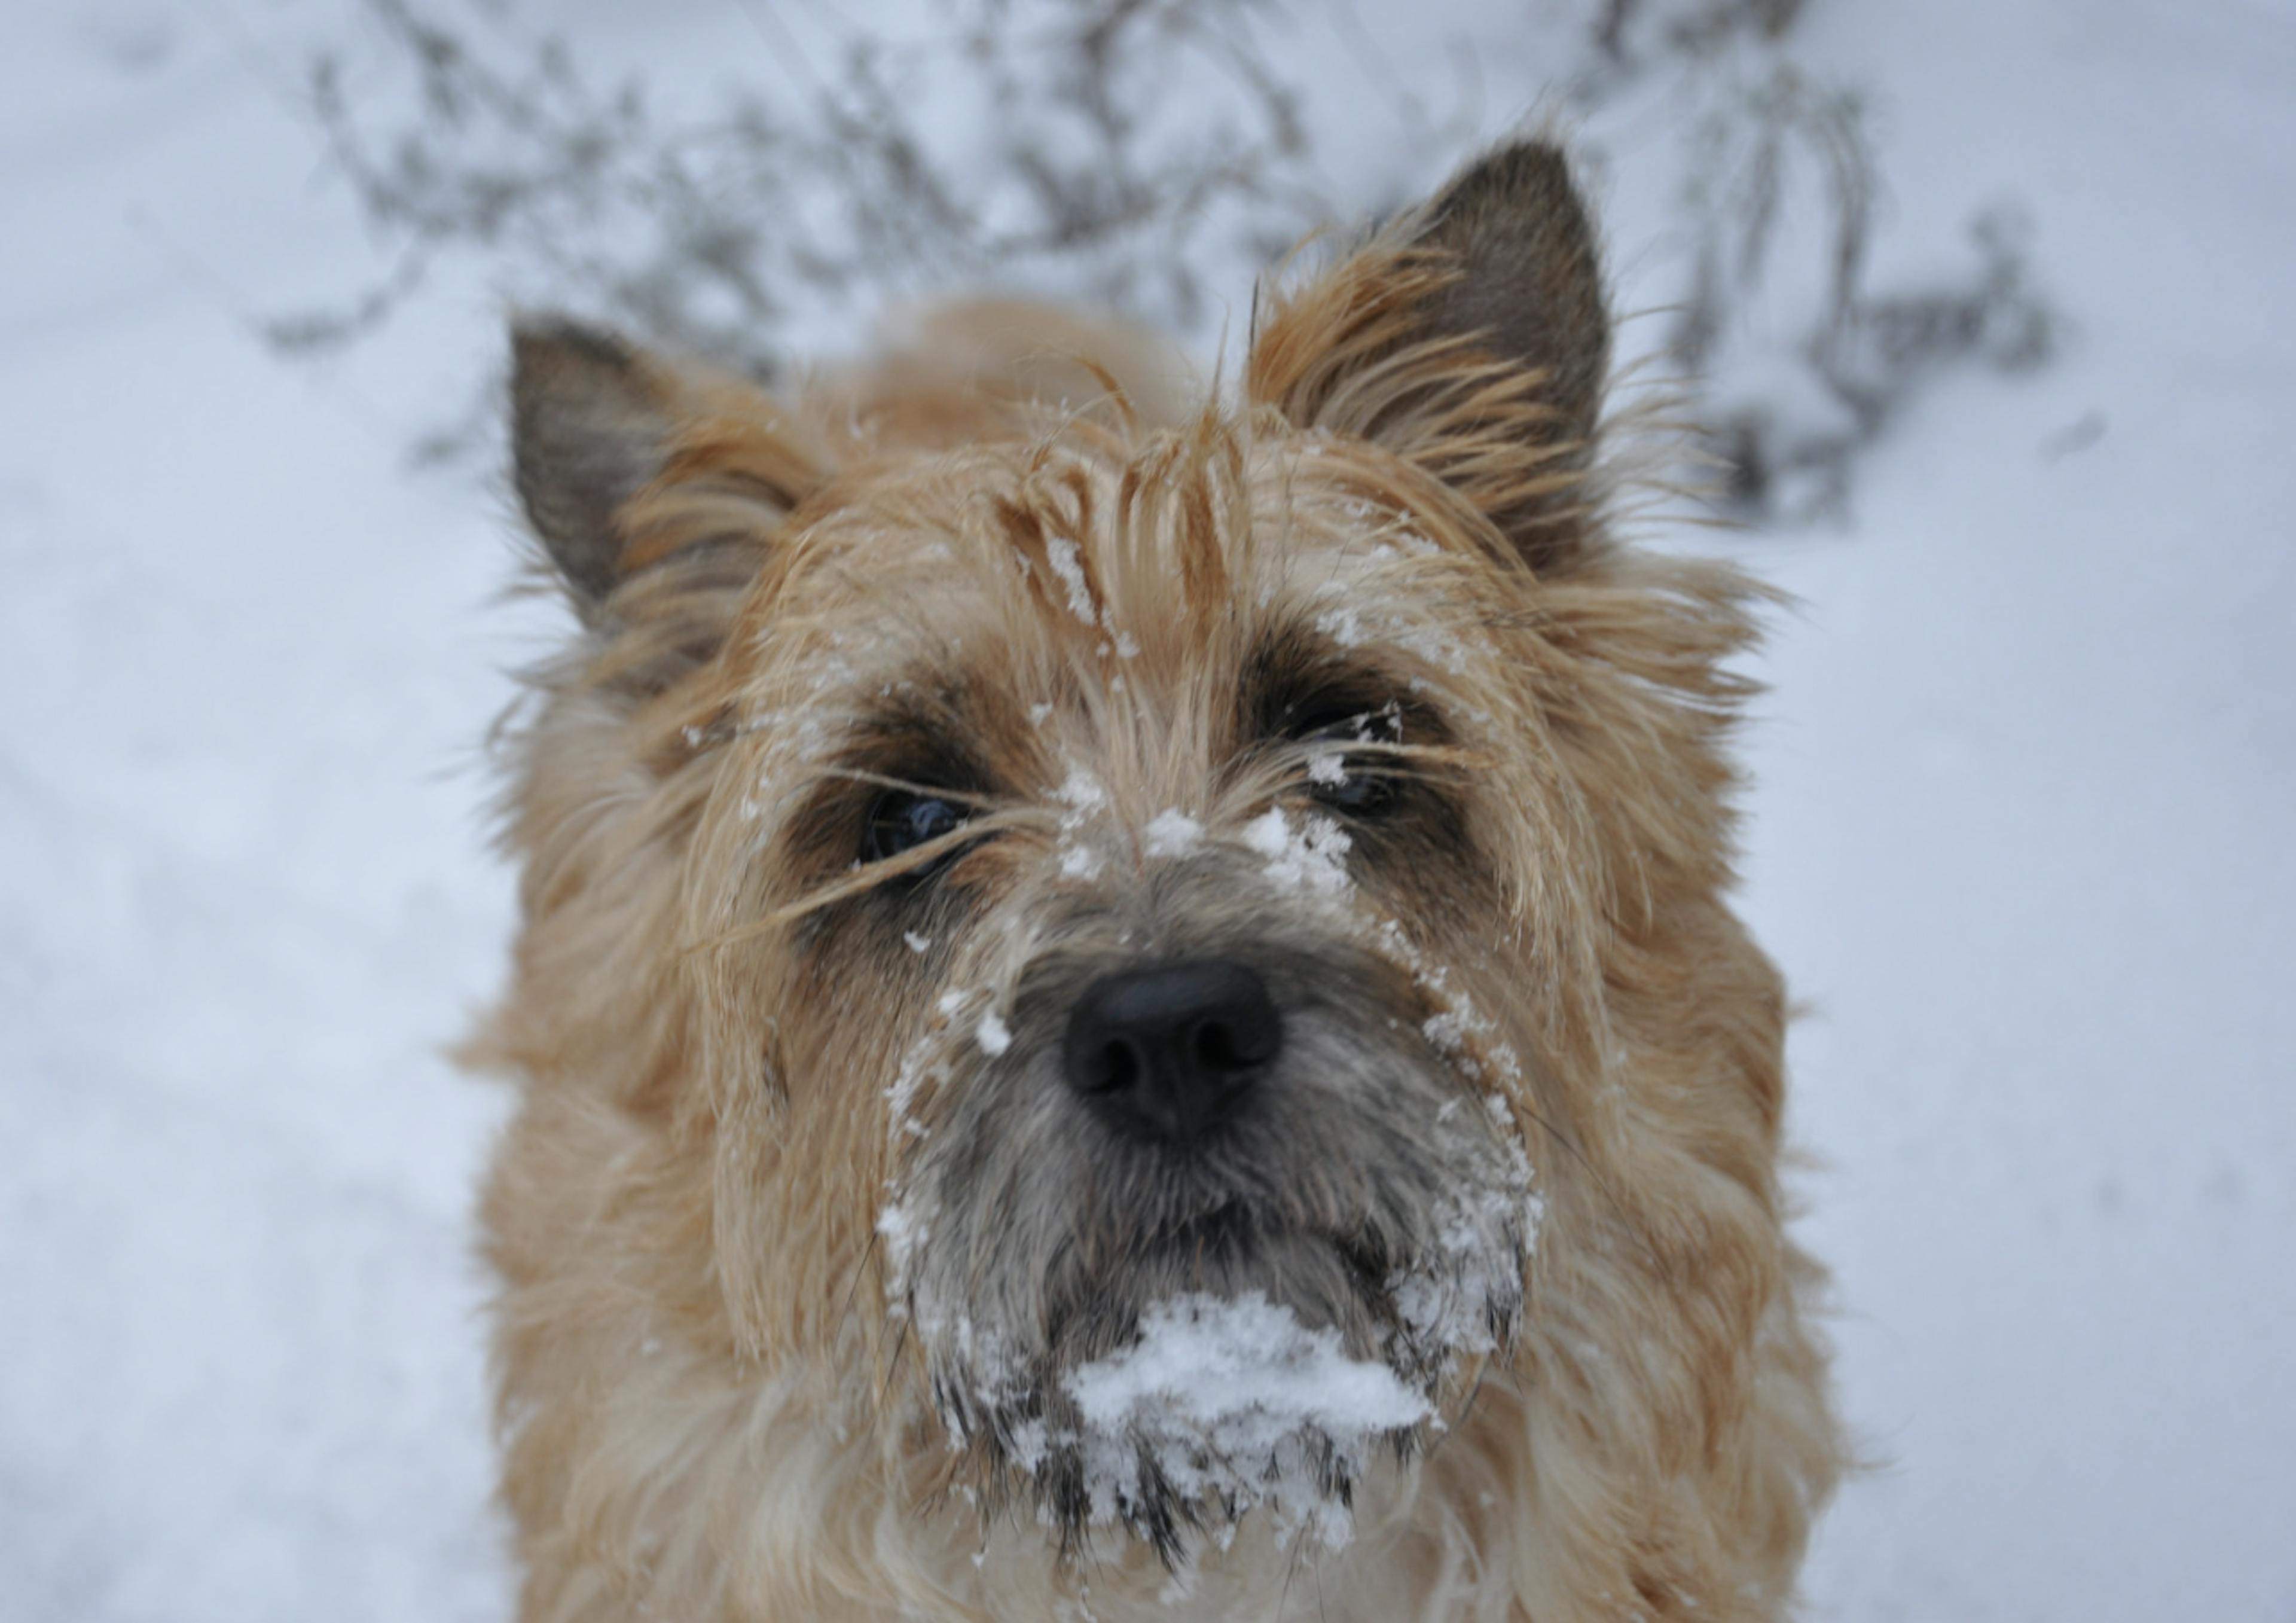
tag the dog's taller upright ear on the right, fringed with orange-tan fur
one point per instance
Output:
(1473, 339)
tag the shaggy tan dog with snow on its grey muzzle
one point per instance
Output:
(1126, 1002)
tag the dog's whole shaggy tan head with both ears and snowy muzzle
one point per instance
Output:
(1140, 933)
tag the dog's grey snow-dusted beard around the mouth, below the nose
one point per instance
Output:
(1154, 1342)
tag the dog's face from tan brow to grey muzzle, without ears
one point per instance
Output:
(1140, 869)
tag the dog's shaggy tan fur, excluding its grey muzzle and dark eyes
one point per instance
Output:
(713, 1404)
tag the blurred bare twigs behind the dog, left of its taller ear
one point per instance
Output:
(699, 235)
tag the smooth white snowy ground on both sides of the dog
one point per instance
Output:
(2024, 841)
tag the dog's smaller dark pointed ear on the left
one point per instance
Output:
(591, 426)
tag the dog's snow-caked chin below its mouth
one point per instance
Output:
(1223, 1369)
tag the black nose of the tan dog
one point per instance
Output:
(1172, 1053)
